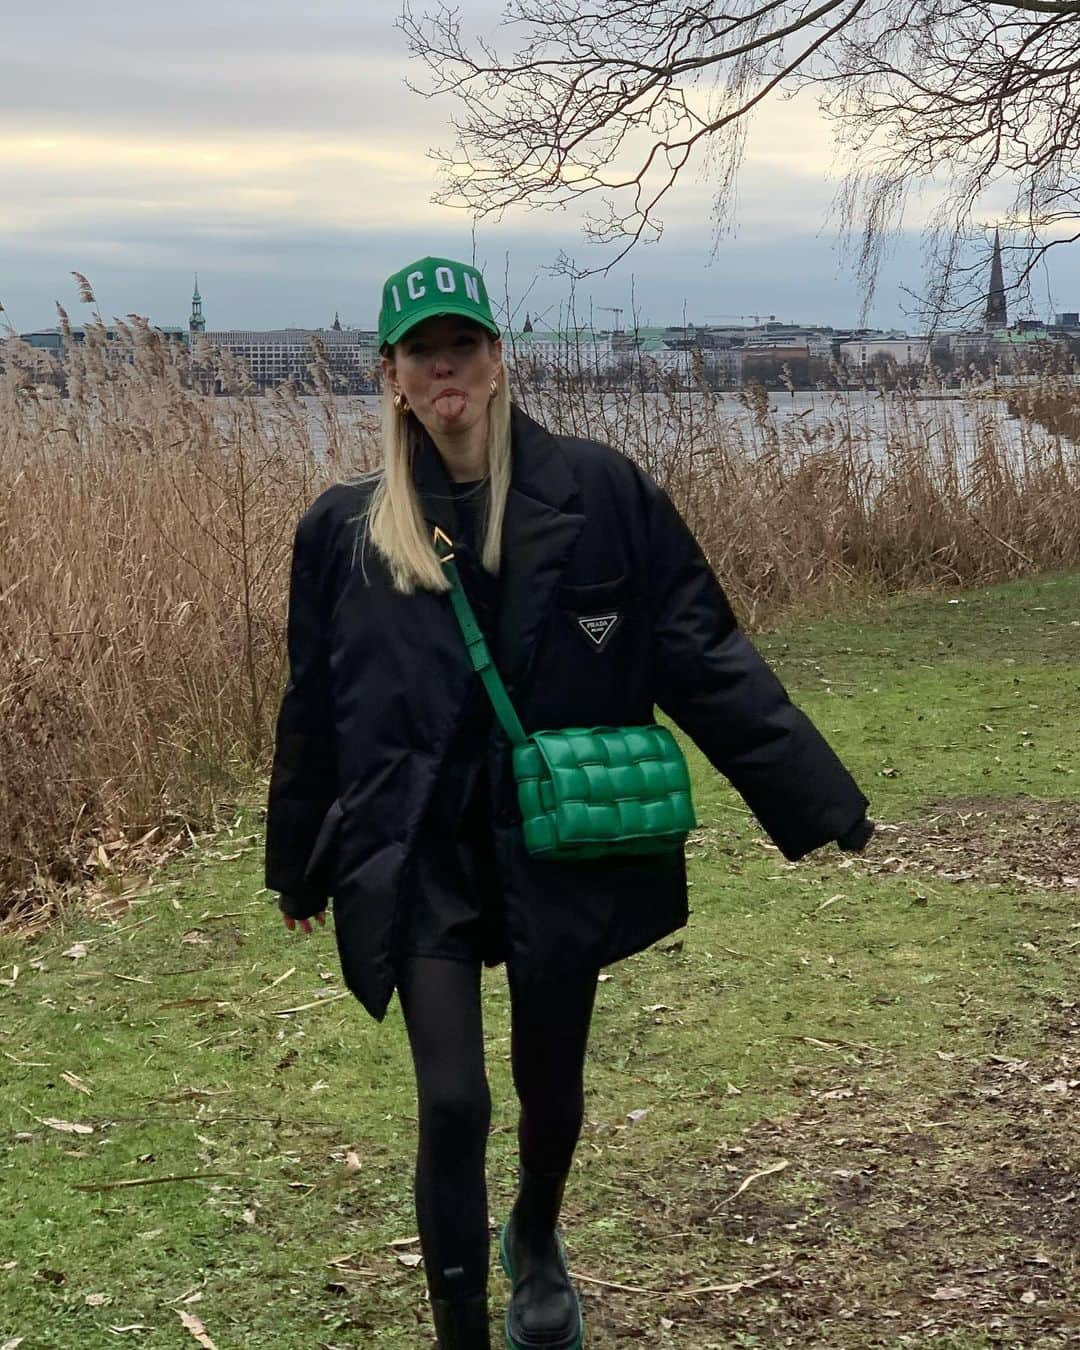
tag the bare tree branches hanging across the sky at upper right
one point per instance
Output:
(612, 103)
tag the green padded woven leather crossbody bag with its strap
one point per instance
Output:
(585, 792)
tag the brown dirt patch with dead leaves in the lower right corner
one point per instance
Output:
(900, 1220)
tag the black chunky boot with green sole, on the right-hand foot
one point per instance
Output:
(545, 1309)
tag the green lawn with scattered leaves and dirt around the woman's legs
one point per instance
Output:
(840, 1109)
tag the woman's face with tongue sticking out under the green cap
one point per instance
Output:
(445, 369)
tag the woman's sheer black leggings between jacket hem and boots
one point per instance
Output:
(441, 1001)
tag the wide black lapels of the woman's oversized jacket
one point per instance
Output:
(539, 530)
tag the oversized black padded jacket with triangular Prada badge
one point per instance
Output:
(379, 682)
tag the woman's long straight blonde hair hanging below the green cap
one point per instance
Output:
(394, 519)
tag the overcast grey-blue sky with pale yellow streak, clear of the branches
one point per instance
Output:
(276, 151)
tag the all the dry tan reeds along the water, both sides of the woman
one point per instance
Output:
(146, 530)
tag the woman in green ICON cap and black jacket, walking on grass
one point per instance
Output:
(394, 788)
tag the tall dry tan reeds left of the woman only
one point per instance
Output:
(145, 541)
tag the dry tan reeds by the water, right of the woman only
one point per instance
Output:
(869, 497)
